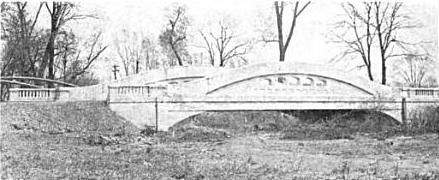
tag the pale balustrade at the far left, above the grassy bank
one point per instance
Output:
(40, 94)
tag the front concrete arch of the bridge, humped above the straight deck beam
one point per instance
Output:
(311, 75)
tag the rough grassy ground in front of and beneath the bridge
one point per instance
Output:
(85, 140)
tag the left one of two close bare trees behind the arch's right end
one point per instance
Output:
(358, 38)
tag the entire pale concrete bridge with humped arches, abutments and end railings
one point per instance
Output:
(162, 98)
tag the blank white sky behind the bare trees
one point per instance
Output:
(310, 43)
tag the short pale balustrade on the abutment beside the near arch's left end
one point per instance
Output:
(116, 93)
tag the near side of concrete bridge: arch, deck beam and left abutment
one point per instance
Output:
(276, 86)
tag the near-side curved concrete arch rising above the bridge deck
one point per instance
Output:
(211, 85)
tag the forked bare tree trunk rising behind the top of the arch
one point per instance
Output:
(279, 9)
